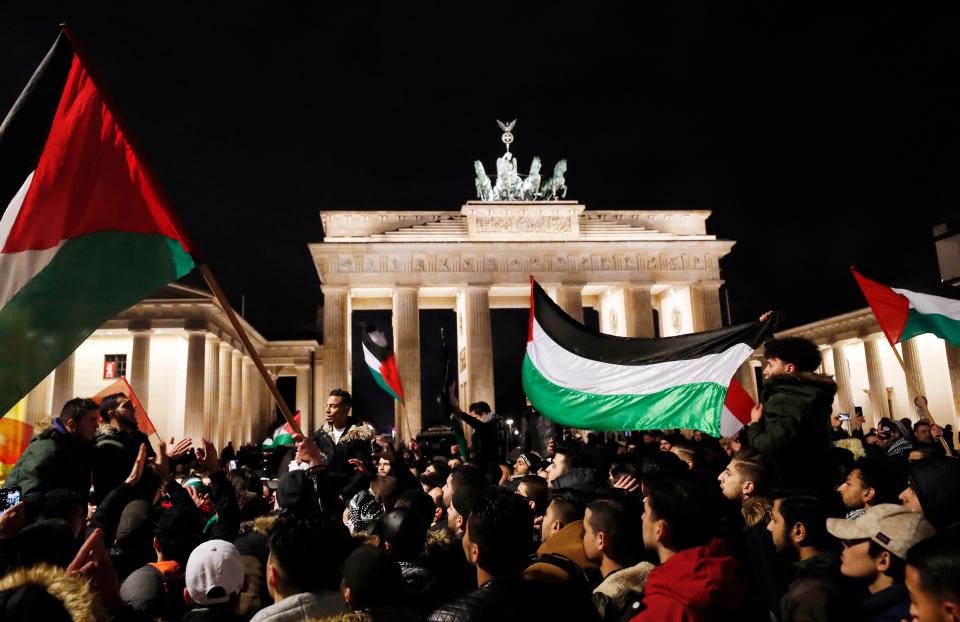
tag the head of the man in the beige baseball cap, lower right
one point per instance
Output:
(877, 542)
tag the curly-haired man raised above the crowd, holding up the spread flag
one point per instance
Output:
(791, 426)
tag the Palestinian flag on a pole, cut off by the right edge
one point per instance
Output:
(903, 314)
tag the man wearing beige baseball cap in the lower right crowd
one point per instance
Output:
(875, 549)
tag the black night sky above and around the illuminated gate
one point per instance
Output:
(819, 134)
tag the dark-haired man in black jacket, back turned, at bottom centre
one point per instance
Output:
(497, 543)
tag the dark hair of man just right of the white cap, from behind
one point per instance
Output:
(308, 552)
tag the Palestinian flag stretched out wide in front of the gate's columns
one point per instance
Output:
(584, 379)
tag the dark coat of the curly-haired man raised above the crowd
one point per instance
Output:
(794, 433)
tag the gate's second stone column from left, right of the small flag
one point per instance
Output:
(406, 337)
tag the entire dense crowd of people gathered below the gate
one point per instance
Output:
(800, 517)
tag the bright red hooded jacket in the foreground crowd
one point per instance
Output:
(698, 584)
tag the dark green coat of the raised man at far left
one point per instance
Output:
(53, 460)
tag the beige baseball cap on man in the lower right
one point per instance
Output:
(894, 527)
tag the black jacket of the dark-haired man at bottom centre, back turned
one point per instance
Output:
(514, 599)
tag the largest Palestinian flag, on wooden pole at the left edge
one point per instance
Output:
(84, 234)
